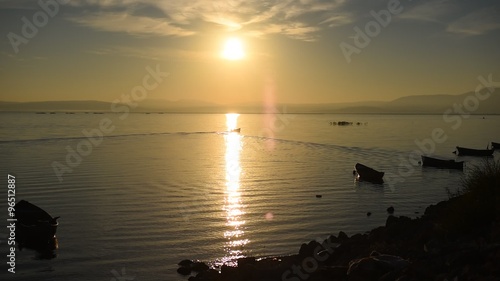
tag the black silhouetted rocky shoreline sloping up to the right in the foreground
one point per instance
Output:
(443, 244)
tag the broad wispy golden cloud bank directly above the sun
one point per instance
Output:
(297, 19)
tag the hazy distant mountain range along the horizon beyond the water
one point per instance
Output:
(424, 104)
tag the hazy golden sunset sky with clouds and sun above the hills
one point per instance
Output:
(290, 51)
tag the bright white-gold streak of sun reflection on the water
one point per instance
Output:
(232, 203)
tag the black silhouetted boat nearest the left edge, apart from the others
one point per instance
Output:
(34, 225)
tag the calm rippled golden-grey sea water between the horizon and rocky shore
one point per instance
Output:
(136, 195)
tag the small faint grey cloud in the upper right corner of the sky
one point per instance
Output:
(476, 23)
